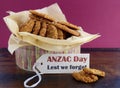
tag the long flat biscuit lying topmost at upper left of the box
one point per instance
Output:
(41, 15)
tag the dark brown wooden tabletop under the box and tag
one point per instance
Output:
(107, 60)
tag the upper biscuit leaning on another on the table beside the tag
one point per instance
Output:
(94, 71)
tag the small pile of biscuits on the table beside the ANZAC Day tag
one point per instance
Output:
(88, 75)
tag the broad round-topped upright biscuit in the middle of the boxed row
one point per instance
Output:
(52, 32)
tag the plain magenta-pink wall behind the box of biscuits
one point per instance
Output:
(94, 16)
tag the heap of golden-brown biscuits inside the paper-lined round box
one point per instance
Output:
(46, 26)
